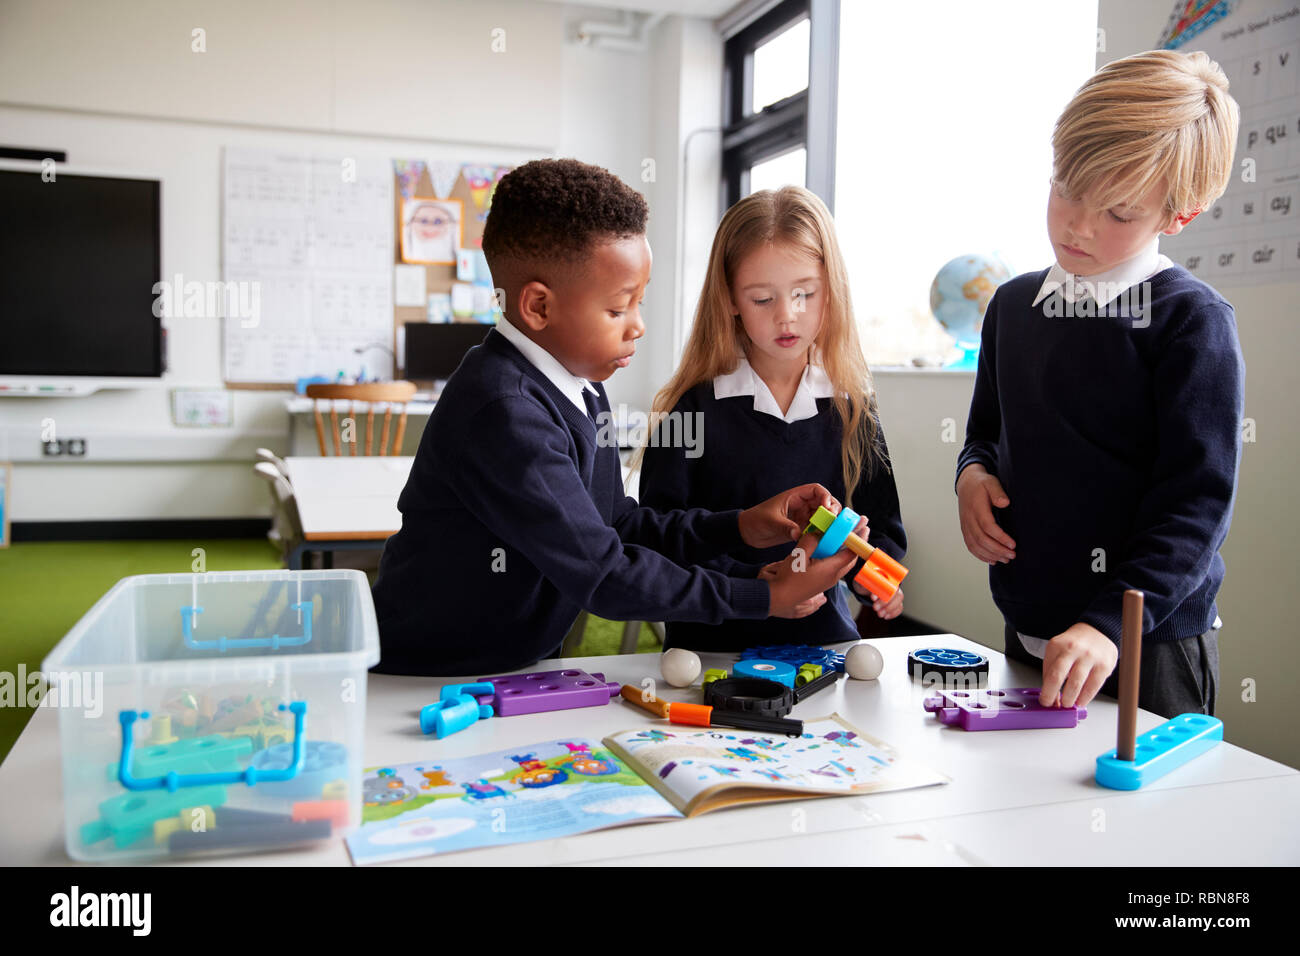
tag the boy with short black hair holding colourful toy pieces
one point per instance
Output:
(514, 518)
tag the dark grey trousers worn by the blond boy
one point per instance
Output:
(1177, 677)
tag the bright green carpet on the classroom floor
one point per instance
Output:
(47, 586)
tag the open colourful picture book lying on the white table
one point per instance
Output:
(566, 788)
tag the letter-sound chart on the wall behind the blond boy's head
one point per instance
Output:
(1253, 235)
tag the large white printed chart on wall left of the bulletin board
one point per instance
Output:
(307, 241)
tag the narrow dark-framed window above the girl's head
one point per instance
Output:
(768, 110)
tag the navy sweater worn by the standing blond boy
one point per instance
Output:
(1117, 438)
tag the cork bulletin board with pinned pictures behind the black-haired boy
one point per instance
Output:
(428, 285)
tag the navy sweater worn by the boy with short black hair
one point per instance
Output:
(514, 520)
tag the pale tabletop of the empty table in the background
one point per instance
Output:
(346, 498)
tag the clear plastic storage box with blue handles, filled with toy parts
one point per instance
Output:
(214, 713)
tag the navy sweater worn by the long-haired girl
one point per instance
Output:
(751, 456)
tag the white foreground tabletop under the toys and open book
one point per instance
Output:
(1017, 798)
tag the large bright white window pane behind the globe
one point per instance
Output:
(944, 149)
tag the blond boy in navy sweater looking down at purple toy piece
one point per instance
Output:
(1104, 432)
